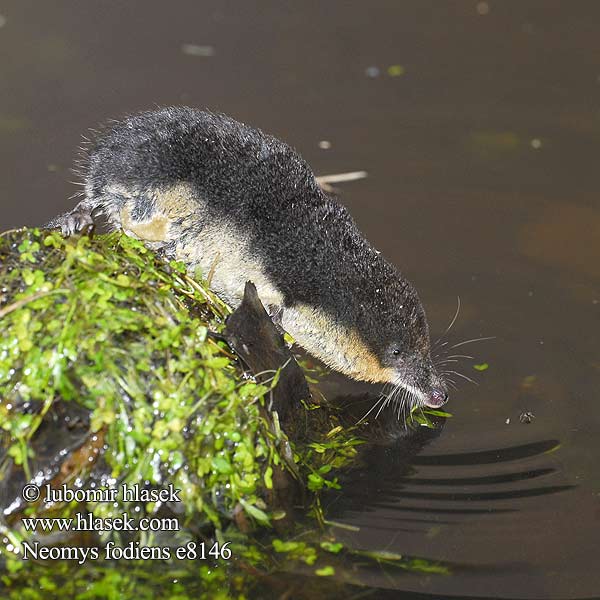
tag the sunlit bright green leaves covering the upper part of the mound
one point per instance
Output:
(104, 323)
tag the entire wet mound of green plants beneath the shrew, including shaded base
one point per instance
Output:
(114, 371)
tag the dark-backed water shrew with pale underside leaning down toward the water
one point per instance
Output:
(242, 205)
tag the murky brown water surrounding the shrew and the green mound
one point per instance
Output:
(479, 126)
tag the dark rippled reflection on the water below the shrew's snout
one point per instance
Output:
(402, 497)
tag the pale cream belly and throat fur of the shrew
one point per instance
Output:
(222, 254)
